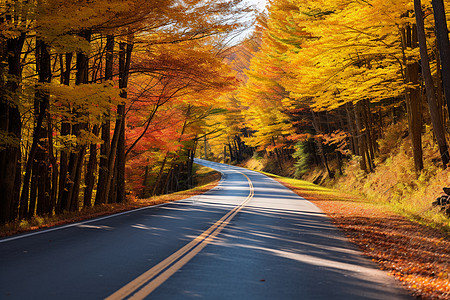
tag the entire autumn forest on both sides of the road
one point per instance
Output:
(106, 100)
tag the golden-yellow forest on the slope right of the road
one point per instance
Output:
(352, 95)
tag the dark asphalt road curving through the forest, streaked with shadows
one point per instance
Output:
(248, 238)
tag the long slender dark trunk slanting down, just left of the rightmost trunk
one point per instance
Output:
(430, 91)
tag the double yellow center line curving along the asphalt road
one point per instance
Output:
(146, 283)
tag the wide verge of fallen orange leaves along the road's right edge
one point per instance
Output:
(417, 255)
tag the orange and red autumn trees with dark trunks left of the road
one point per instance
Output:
(100, 99)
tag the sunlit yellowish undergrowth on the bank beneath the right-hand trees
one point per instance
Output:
(395, 181)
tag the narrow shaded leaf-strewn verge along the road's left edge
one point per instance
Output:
(206, 180)
